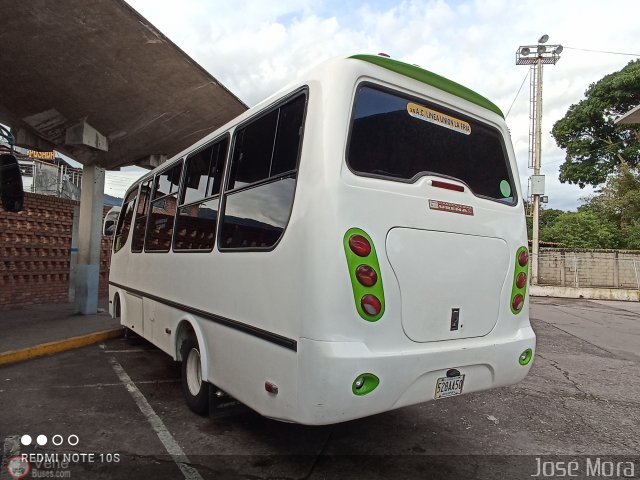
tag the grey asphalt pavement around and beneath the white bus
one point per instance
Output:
(582, 397)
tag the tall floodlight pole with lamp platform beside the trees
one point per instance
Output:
(536, 56)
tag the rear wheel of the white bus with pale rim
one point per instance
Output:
(194, 388)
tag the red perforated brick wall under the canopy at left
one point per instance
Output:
(34, 252)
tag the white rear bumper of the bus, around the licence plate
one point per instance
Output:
(327, 371)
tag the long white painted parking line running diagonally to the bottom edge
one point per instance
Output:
(170, 444)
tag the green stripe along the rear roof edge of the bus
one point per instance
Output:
(432, 79)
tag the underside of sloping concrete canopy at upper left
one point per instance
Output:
(94, 80)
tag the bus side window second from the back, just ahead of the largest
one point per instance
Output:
(196, 222)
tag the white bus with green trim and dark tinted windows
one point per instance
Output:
(354, 244)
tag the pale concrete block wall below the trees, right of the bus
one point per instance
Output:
(589, 268)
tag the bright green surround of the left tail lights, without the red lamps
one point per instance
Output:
(359, 290)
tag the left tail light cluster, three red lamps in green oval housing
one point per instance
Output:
(364, 271)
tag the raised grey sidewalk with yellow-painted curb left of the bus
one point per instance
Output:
(37, 330)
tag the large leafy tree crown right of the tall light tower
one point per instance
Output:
(594, 145)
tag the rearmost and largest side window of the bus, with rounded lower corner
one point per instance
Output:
(262, 181)
